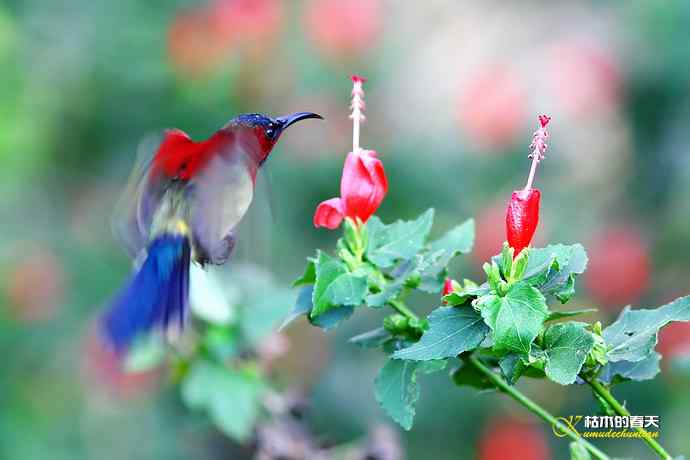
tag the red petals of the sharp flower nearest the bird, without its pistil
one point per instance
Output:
(362, 188)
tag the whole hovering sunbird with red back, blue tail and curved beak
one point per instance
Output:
(182, 204)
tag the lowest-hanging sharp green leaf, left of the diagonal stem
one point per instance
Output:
(397, 389)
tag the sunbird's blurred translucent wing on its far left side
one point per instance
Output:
(131, 220)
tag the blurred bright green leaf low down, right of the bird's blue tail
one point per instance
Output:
(231, 398)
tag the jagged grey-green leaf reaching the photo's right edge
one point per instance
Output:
(633, 336)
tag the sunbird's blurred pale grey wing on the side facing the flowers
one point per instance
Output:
(221, 194)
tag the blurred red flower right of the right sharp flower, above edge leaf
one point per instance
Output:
(618, 269)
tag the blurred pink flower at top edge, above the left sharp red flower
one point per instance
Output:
(343, 28)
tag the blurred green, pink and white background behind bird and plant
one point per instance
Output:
(453, 93)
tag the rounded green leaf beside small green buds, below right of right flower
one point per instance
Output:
(566, 347)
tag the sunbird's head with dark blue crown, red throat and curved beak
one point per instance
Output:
(266, 130)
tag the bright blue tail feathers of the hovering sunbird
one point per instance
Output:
(155, 296)
